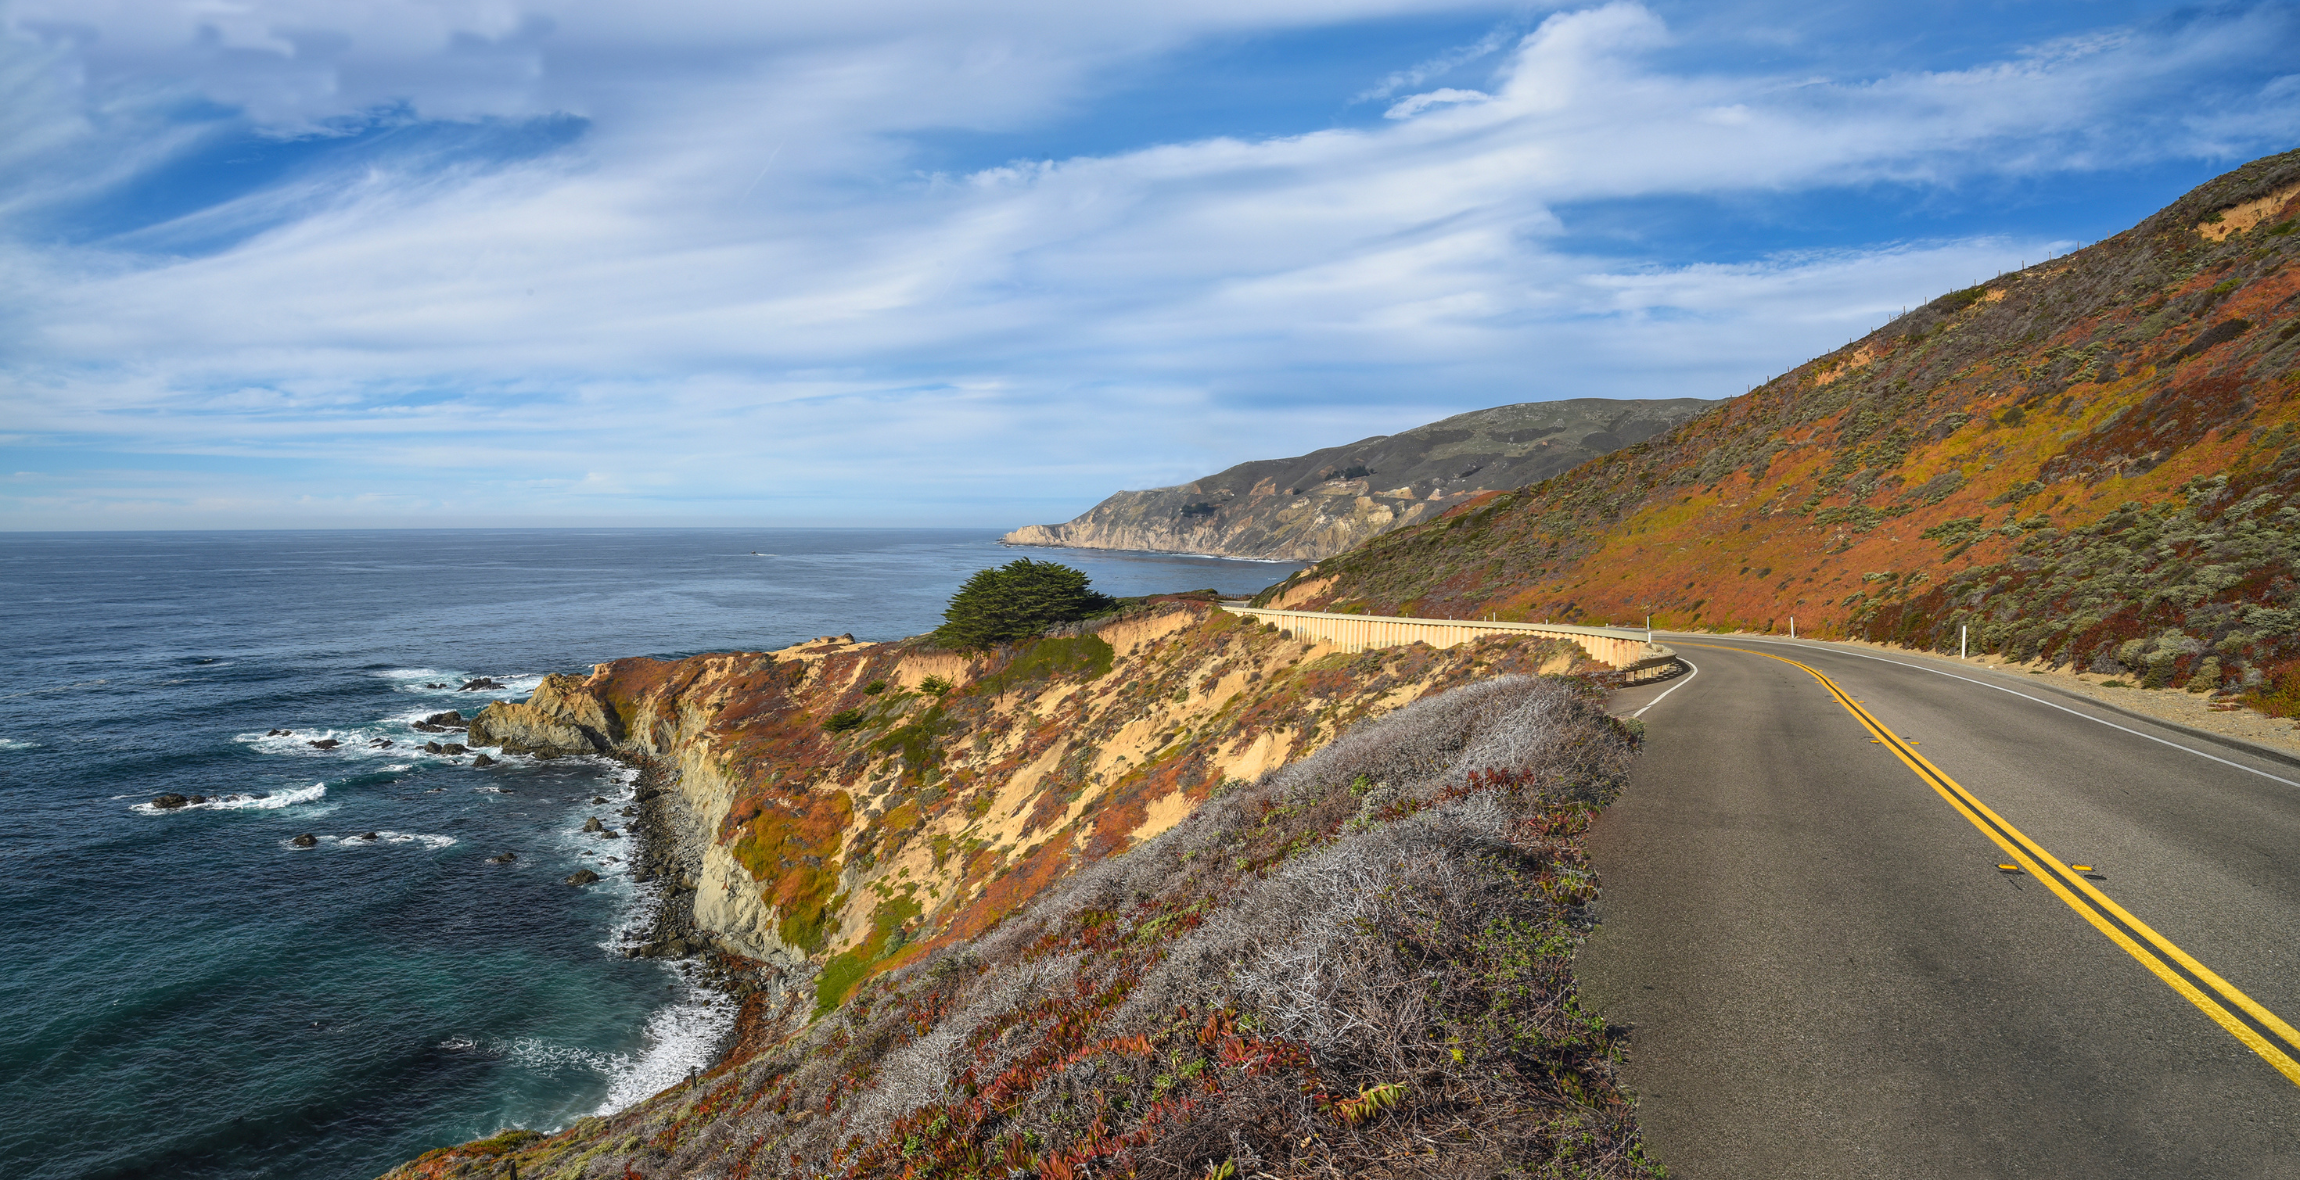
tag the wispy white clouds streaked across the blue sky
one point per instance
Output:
(739, 296)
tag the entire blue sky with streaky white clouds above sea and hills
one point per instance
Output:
(314, 263)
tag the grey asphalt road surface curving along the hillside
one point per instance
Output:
(1830, 976)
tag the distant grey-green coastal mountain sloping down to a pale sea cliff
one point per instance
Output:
(1319, 505)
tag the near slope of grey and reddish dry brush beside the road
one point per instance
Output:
(1358, 965)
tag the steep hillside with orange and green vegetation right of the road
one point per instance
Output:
(2094, 461)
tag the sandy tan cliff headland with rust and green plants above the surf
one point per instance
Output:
(935, 813)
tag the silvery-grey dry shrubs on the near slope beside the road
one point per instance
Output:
(1305, 947)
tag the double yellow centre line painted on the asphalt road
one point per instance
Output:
(2241, 1016)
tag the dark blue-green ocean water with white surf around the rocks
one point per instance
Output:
(194, 997)
